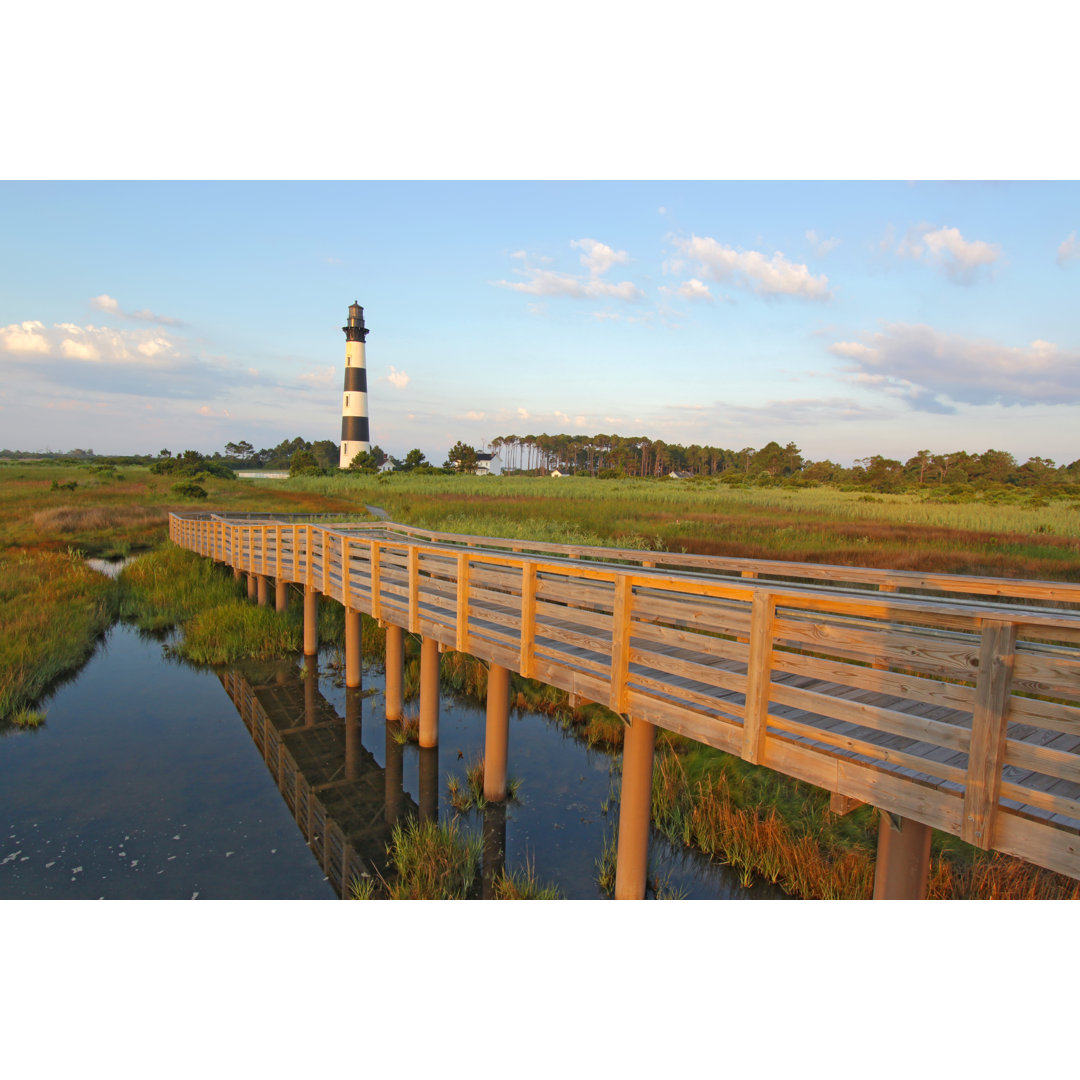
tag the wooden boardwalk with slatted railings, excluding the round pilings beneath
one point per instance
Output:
(948, 700)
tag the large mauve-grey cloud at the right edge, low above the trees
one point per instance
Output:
(930, 370)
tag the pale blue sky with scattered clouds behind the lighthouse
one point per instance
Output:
(854, 318)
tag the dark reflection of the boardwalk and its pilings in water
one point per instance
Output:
(344, 803)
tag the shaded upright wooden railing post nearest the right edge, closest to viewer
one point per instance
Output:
(996, 657)
